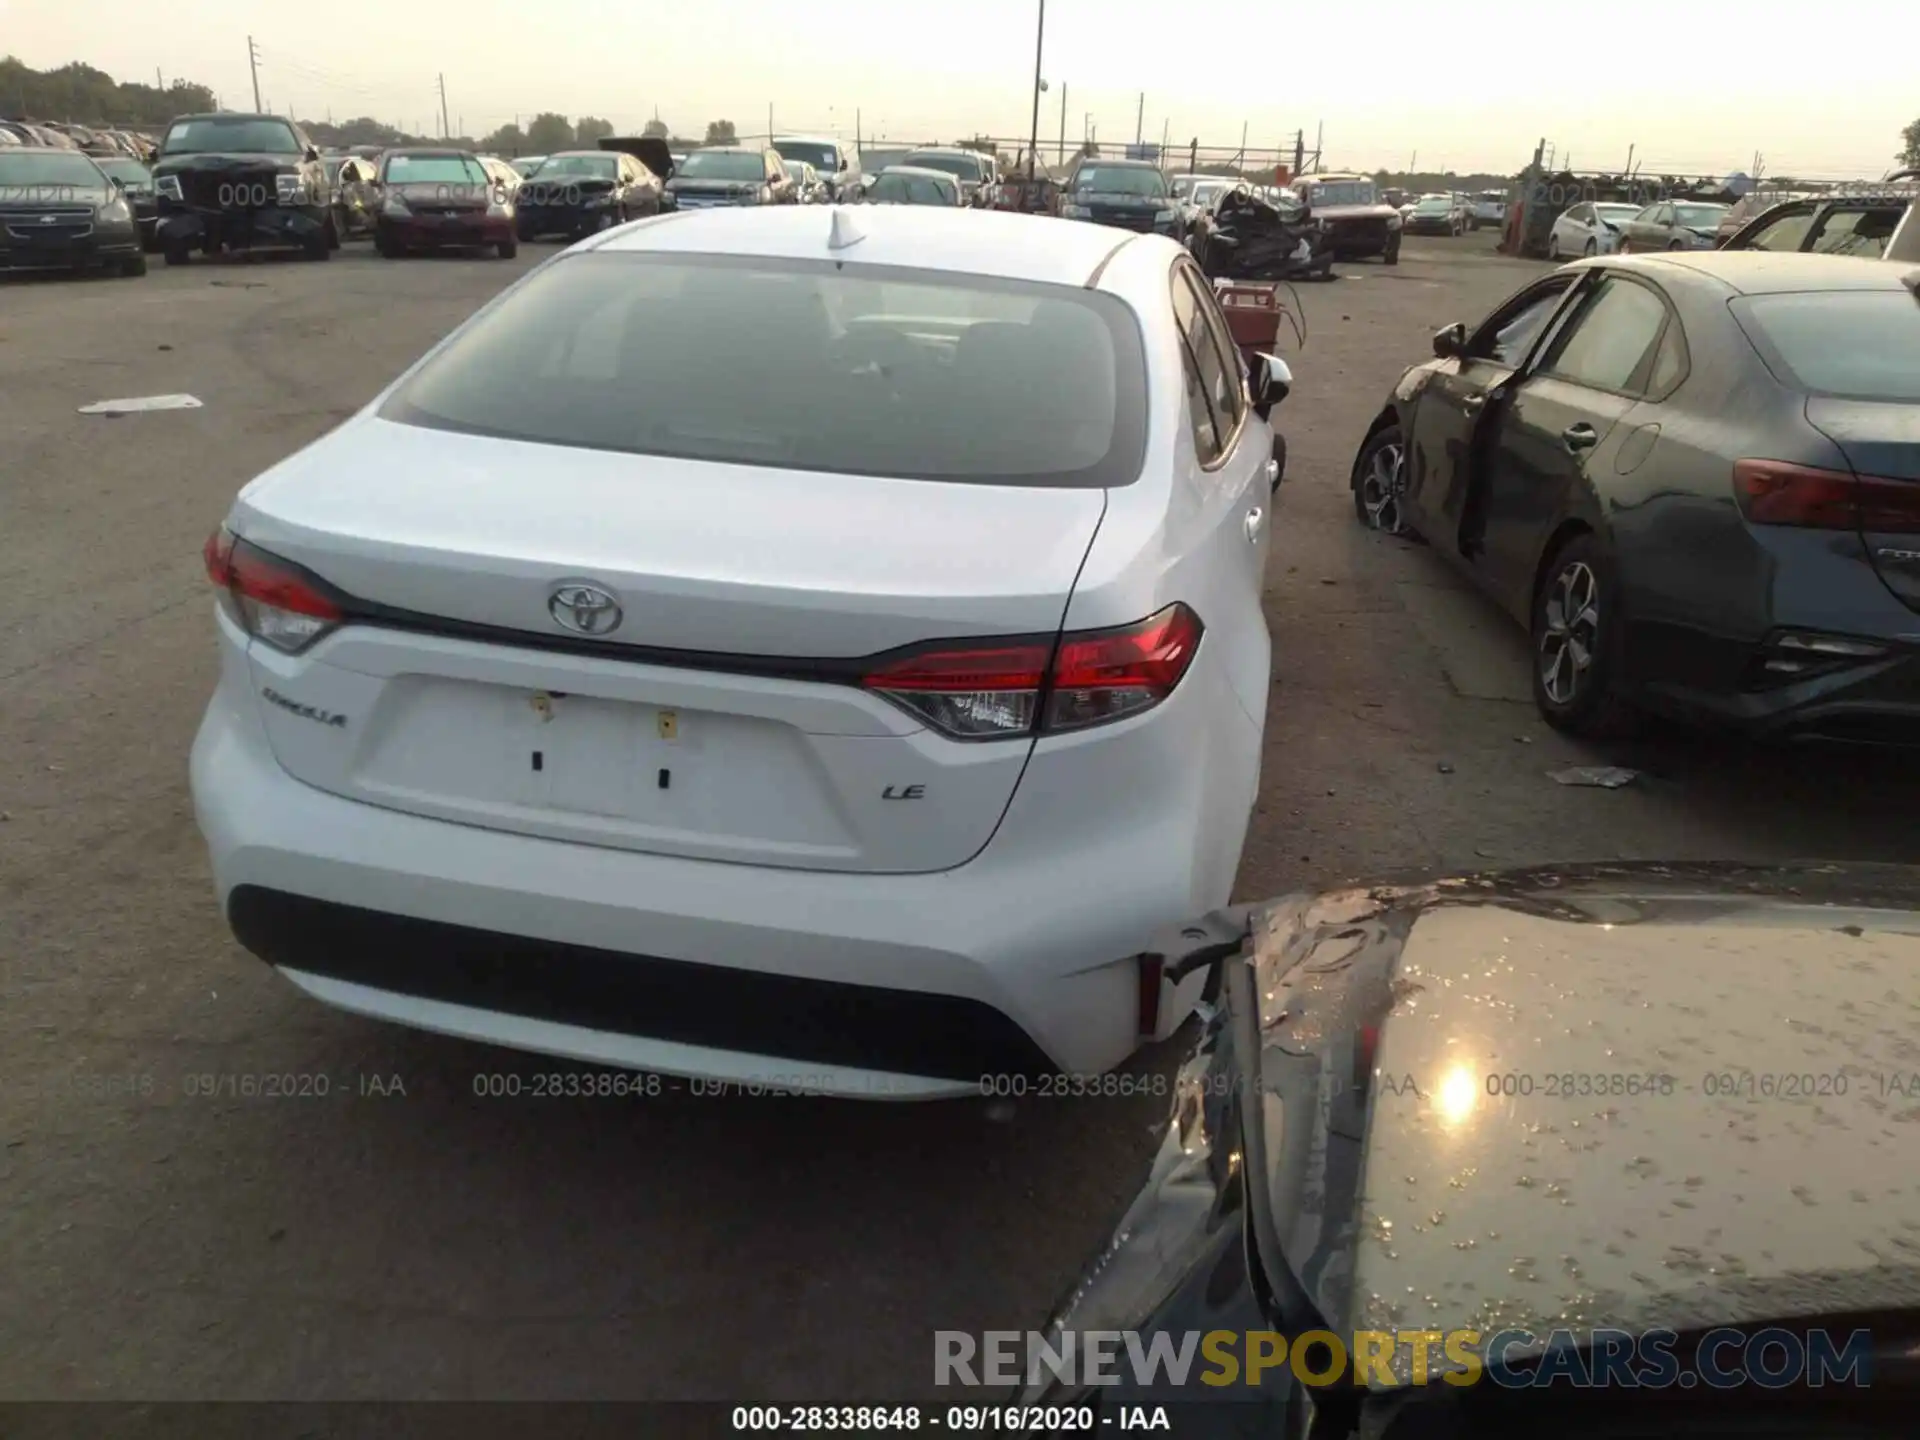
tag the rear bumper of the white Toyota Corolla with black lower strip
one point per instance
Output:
(850, 984)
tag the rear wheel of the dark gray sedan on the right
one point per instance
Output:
(1575, 615)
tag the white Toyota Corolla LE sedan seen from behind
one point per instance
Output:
(804, 648)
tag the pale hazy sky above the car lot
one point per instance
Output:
(1698, 87)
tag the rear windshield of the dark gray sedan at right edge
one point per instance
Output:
(1860, 345)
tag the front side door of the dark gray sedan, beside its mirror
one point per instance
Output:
(1443, 448)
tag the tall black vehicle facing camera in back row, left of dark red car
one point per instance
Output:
(241, 183)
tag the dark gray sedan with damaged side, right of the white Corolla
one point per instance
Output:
(1694, 477)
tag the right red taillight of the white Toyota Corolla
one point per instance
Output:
(1024, 688)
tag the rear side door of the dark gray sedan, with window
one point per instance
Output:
(1562, 427)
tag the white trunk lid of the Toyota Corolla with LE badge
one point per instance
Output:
(727, 731)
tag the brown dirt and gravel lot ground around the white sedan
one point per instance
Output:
(437, 1245)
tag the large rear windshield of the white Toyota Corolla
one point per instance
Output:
(802, 366)
